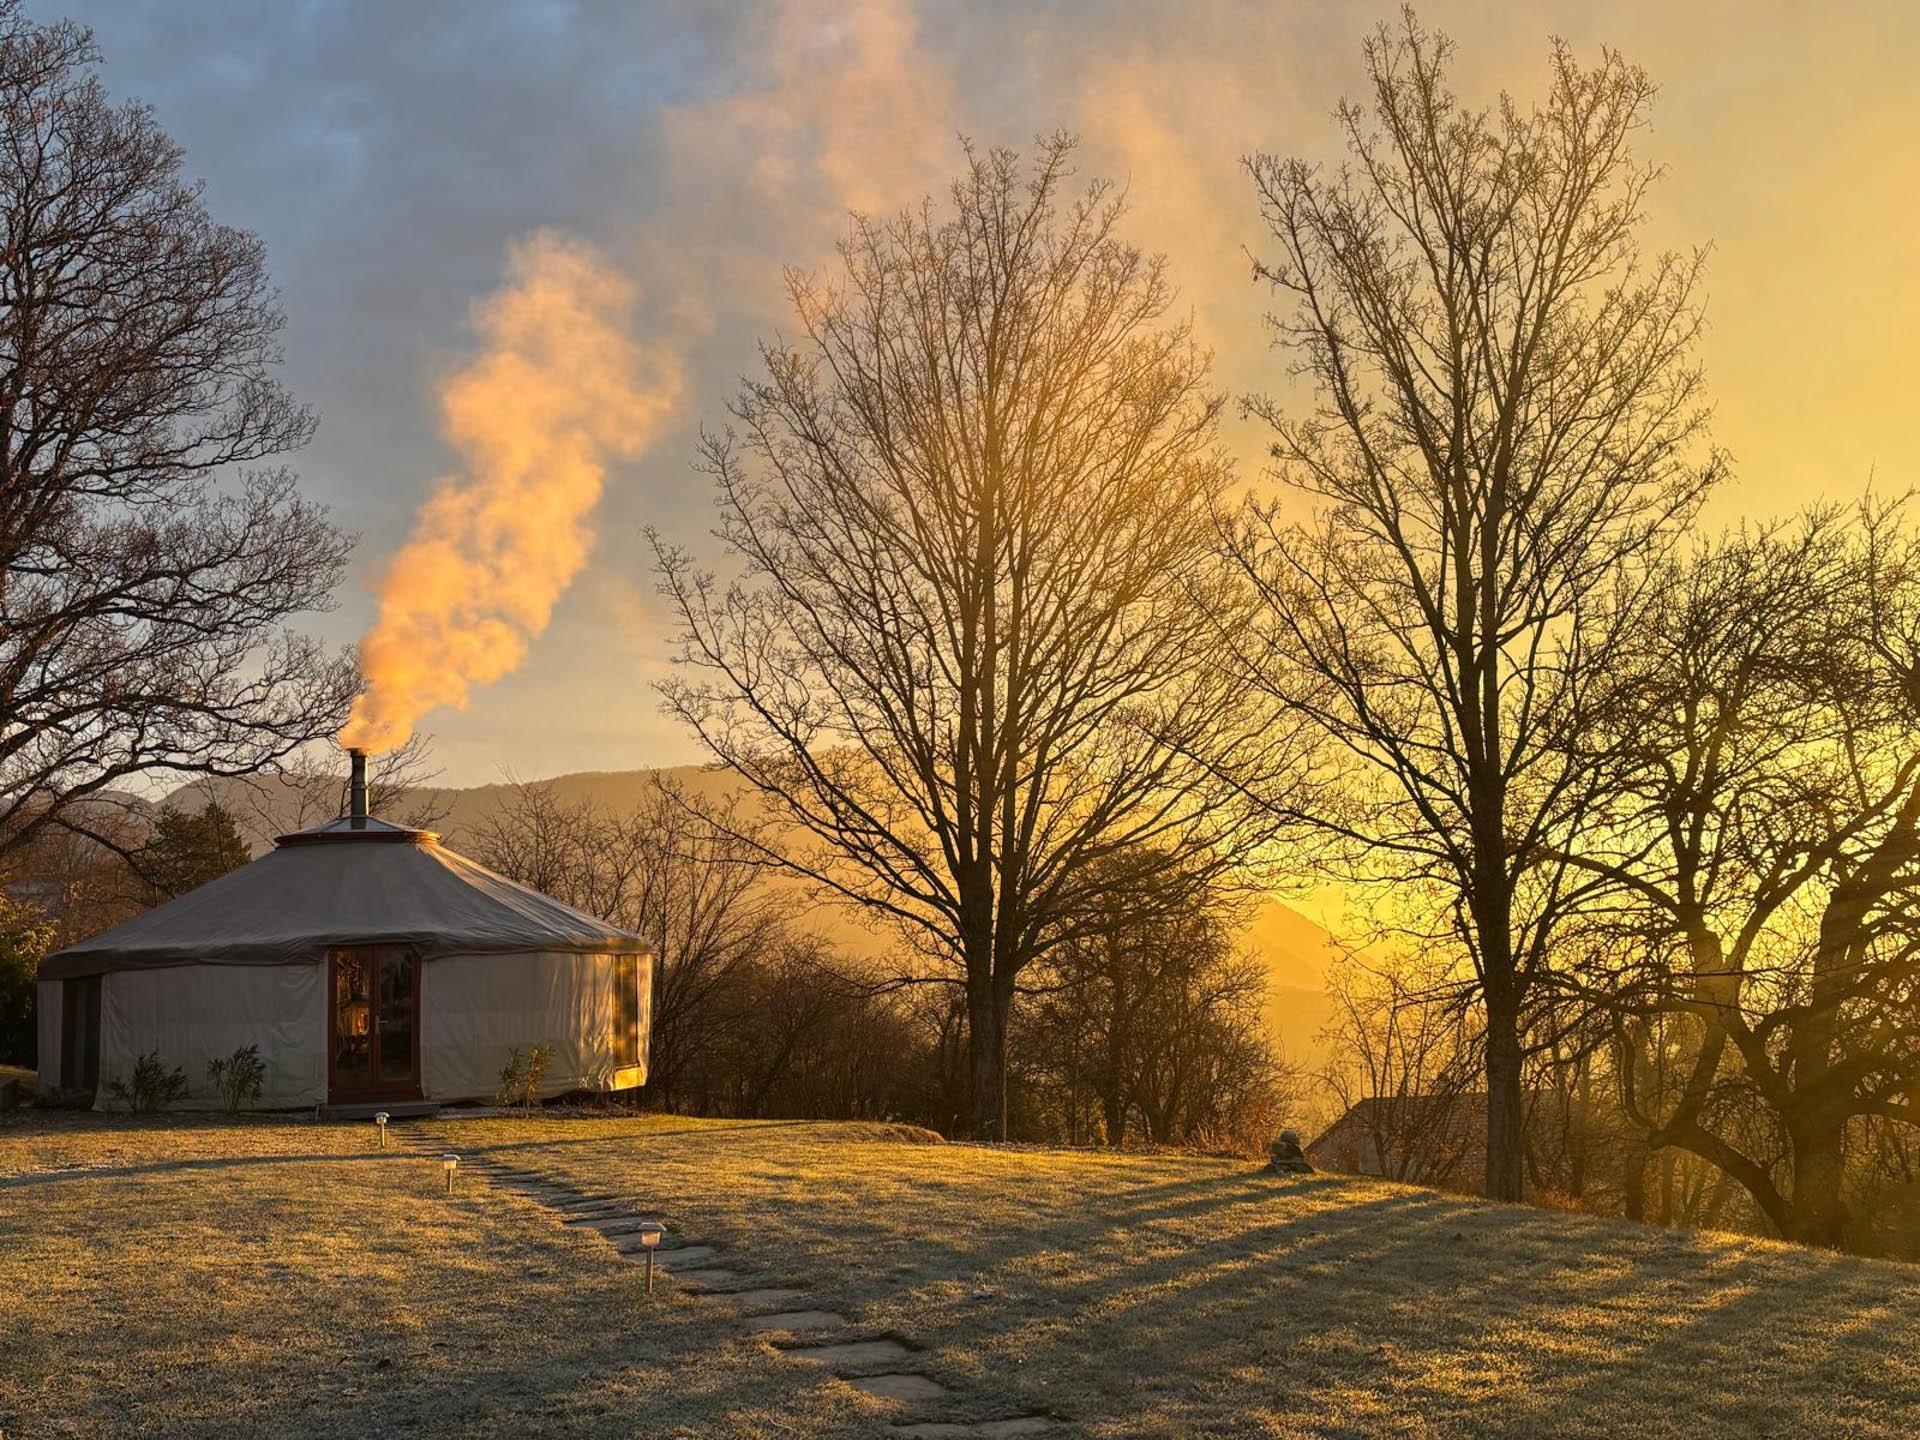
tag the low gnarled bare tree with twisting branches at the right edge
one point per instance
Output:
(1764, 836)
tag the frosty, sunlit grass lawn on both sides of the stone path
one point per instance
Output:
(279, 1278)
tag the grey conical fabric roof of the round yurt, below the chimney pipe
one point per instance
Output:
(343, 884)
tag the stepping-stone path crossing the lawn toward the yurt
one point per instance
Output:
(880, 1366)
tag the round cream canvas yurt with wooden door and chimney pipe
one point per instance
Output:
(372, 967)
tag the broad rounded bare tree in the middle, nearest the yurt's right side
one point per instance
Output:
(963, 663)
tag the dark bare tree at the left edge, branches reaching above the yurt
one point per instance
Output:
(141, 606)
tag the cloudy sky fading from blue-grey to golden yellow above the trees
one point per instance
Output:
(400, 158)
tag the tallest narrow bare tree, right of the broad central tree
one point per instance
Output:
(1504, 435)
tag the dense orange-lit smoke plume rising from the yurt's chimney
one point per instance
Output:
(558, 391)
